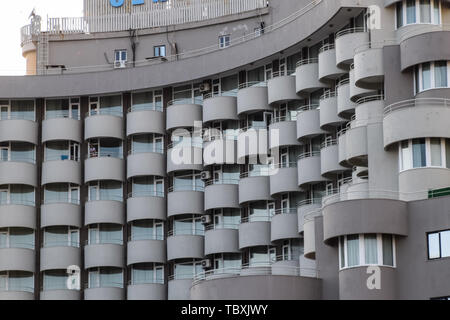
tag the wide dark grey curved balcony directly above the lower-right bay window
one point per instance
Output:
(365, 216)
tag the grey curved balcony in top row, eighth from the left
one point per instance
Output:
(281, 88)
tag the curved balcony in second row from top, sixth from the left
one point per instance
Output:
(220, 151)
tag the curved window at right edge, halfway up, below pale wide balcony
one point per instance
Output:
(424, 152)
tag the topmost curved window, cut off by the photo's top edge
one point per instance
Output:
(418, 11)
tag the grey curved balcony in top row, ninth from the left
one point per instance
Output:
(307, 77)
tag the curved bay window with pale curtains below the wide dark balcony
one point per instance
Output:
(366, 249)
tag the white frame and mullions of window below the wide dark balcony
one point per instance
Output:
(362, 256)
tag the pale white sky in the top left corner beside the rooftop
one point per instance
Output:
(14, 15)
